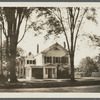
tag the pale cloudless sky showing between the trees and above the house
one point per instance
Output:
(29, 43)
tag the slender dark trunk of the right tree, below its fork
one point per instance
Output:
(72, 66)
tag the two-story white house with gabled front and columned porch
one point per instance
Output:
(45, 64)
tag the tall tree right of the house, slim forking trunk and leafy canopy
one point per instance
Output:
(66, 21)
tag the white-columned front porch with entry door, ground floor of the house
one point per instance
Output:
(41, 72)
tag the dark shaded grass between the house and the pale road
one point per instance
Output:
(66, 83)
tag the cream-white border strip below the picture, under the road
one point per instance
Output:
(49, 95)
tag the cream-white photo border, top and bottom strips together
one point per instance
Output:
(53, 94)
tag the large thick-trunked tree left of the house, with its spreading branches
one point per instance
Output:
(12, 19)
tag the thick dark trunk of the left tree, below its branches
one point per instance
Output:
(13, 47)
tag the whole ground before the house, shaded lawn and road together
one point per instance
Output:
(85, 84)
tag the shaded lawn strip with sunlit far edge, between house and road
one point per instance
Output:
(51, 83)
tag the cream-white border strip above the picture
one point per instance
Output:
(49, 4)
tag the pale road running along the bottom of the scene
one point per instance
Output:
(76, 89)
